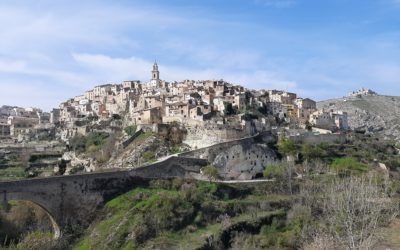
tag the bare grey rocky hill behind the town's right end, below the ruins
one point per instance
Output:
(376, 113)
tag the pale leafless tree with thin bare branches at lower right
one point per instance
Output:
(354, 208)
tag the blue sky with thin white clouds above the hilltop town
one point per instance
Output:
(54, 50)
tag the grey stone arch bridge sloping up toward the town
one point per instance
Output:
(71, 201)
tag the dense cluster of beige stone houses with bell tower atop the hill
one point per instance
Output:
(190, 103)
